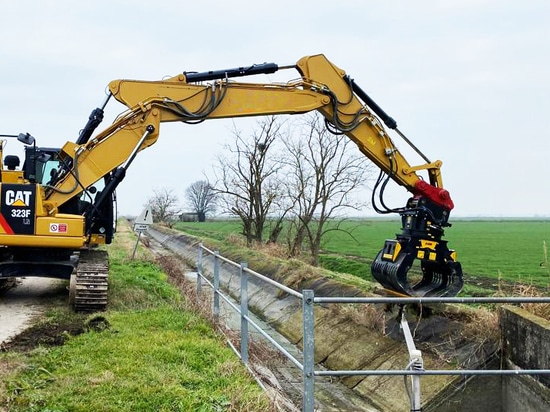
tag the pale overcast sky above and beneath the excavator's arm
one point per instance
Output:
(467, 80)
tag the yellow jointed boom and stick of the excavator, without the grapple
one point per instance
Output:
(322, 87)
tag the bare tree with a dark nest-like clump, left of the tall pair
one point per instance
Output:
(247, 178)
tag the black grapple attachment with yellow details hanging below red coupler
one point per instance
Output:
(420, 241)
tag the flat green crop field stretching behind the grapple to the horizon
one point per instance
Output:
(512, 249)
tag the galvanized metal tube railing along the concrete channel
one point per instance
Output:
(415, 367)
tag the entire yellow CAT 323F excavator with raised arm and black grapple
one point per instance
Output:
(60, 205)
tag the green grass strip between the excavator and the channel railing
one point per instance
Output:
(150, 354)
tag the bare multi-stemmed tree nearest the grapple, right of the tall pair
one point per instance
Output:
(325, 170)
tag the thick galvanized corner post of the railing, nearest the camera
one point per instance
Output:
(309, 351)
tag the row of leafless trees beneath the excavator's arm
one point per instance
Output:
(284, 182)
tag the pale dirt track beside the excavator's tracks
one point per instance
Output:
(19, 305)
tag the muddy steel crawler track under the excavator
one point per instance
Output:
(89, 282)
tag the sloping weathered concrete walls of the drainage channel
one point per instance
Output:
(342, 344)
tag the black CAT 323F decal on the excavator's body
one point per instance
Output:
(18, 208)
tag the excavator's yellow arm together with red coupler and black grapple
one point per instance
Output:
(322, 87)
